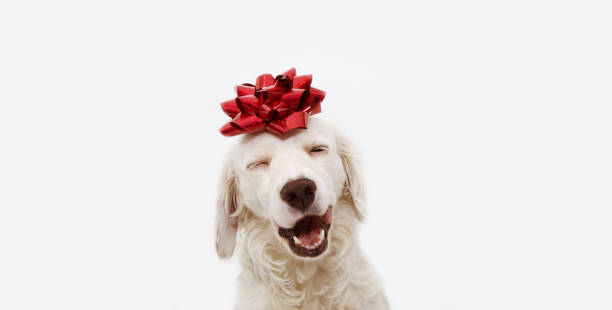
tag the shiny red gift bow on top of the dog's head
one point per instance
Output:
(275, 104)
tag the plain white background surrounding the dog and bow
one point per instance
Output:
(484, 126)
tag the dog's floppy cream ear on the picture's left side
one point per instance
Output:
(227, 213)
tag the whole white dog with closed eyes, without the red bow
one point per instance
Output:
(295, 201)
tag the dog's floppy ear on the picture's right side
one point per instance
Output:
(353, 186)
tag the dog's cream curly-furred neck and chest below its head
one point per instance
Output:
(273, 279)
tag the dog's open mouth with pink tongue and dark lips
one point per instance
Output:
(308, 238)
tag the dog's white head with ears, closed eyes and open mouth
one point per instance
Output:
(294, 182)
